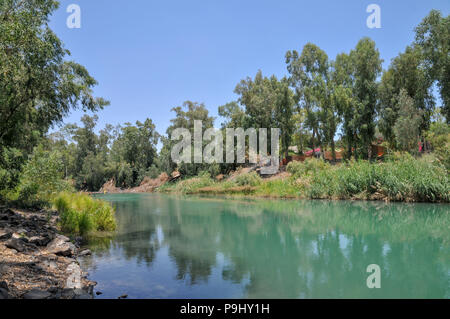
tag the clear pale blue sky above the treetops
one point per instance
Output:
(149, 56)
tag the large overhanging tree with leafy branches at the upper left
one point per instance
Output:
(38, 85)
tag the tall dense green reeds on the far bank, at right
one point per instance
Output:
(400, 178)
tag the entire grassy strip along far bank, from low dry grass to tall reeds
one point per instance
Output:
(402, 179)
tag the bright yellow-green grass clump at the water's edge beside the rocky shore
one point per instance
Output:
(81, 214)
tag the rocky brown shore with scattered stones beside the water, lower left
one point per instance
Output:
(36, 261)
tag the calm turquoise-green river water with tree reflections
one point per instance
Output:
(169, 247)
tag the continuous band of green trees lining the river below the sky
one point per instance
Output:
(346, 102)
